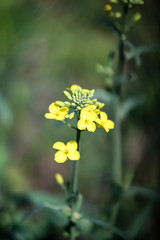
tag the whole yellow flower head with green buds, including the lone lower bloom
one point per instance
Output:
(89, 116)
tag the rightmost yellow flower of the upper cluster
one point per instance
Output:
(103, 122)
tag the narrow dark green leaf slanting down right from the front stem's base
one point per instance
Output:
(110, 227)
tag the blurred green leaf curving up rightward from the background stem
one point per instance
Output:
(127, 106)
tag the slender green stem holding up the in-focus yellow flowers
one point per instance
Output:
(74, 189)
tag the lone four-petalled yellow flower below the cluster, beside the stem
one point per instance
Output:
(66, 151)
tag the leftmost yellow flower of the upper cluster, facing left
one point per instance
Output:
(57, 112)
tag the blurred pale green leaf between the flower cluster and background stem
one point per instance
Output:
(106, 96)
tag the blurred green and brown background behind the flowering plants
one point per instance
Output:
(45, 47)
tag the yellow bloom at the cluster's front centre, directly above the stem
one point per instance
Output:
(87, 116)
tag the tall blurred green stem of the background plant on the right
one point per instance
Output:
(117, 135)
